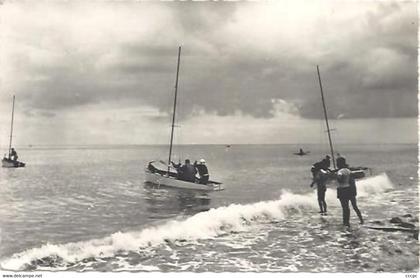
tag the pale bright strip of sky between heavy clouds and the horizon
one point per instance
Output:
(105, 124)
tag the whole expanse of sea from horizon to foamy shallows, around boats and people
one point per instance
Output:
(88, 209)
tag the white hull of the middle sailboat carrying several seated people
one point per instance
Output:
(163, 180)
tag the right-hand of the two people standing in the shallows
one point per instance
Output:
(346, 191)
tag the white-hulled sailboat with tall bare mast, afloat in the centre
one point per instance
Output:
(162, 173)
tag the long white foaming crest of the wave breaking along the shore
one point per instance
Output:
(204, 225)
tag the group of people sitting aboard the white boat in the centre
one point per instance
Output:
(188, 171)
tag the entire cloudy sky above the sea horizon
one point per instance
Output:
(103, 72)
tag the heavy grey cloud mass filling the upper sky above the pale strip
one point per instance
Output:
(237, 56)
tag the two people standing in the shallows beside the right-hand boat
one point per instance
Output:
(346, 186)
